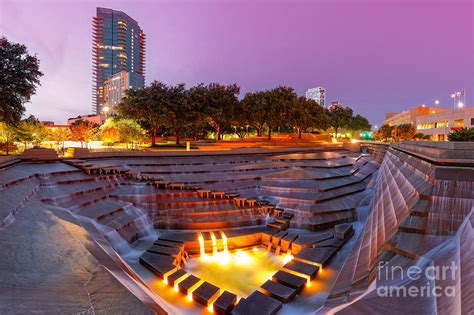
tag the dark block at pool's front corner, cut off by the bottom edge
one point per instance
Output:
(257, 303)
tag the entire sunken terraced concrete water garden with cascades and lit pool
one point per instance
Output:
(347, 229)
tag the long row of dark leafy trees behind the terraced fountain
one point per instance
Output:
(217, 107)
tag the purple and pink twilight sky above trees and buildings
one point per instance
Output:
(373, 55)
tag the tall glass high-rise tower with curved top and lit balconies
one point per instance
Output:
(118, 44)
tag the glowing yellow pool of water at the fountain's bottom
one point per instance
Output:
(240, 272)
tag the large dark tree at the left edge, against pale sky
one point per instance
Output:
(19, 77)
